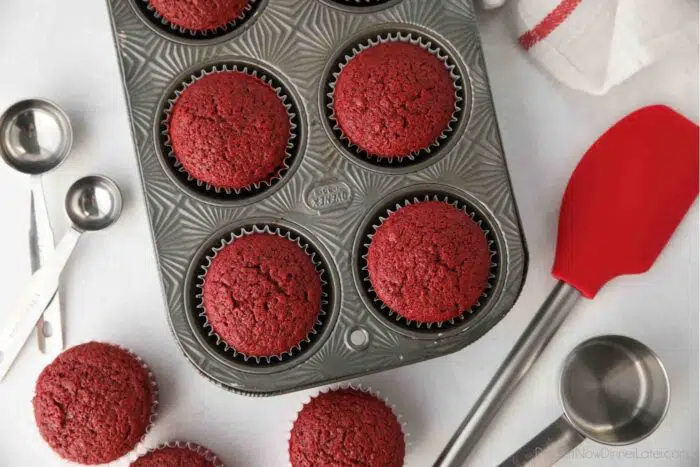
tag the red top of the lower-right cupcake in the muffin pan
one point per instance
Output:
(429, 262)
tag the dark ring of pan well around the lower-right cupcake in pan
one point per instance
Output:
(381, 310)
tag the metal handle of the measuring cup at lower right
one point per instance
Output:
(545, 449)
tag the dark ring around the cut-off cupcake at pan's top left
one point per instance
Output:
(182, 35)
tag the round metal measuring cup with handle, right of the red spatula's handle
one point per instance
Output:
(614, 390)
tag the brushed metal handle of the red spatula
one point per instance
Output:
(523, 355)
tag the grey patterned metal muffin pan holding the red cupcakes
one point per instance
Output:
(328, 196)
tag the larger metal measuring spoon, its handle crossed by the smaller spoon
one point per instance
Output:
(35, 138)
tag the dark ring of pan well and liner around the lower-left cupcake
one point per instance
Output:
(195, 314)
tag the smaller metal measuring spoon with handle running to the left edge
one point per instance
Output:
(92, 203)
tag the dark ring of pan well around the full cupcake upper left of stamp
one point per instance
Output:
(201, 190)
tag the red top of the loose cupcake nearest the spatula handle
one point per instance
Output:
(346, 427)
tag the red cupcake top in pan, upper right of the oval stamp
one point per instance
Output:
(394, 99)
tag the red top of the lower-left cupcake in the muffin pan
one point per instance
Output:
(262, 295)
